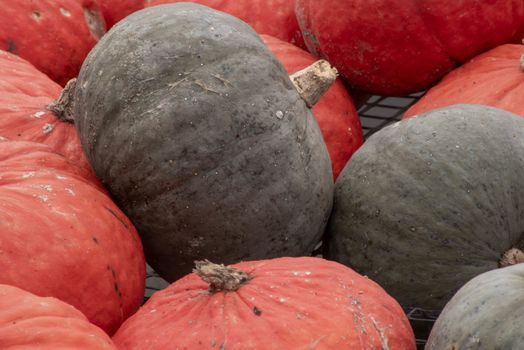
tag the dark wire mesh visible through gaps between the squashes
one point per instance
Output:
(376, 113)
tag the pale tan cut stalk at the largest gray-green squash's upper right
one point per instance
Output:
(313, 81)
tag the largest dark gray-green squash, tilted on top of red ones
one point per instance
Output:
(203, 140)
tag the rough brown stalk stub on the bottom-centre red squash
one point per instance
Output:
(220, 277)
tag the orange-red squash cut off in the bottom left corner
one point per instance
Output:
(28, 321)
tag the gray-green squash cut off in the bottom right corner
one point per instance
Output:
(486, 313)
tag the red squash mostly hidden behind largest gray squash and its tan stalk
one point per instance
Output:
(334, 112)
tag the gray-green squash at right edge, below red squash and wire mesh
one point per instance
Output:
(430, 202)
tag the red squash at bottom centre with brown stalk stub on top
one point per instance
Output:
(284, 303)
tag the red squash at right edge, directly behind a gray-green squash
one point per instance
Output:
(494, 78)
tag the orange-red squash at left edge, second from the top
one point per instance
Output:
(25, 99)
